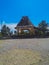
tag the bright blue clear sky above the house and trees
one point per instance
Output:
(11, 11)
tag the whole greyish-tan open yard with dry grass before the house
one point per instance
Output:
(24, 52)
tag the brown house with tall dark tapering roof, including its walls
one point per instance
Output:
(25, 24)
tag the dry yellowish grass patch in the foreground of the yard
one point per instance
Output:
(20, 57)
